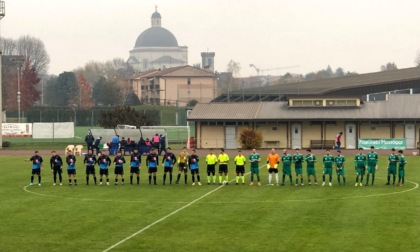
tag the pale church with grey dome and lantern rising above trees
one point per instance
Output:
(157, 48)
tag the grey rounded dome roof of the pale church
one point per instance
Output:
(156, 37)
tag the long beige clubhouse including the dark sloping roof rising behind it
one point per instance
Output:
(382, 105)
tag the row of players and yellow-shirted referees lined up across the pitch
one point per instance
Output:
(363, 164)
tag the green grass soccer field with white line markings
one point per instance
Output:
(208, 217)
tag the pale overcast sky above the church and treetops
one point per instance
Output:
(358, 35)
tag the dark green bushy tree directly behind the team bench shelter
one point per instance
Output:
(124, 115)
